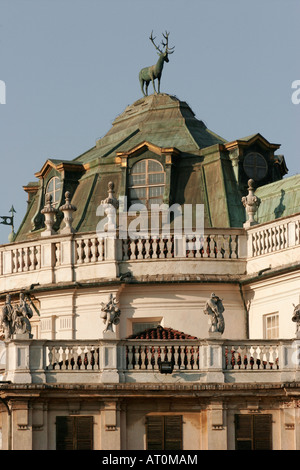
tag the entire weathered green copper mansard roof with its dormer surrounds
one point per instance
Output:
(200, 167)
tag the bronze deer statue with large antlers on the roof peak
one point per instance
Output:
(149, 74)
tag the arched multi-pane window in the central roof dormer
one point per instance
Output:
(147, 183)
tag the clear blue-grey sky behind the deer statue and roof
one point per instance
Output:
(70, 67)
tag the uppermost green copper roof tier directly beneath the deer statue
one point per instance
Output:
(161, 119)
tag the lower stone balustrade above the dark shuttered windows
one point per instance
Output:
(121, 361)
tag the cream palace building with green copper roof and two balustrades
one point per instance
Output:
(139, 340)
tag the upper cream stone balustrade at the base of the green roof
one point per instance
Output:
(76, 257)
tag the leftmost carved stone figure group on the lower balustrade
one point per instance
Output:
(15, 318)
